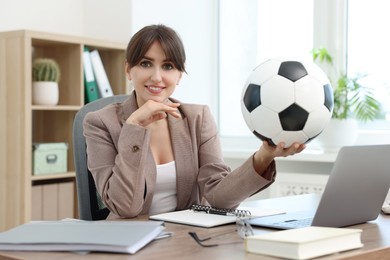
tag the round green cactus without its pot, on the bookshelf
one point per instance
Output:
(44, 69)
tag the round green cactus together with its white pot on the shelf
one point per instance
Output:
(45, 77)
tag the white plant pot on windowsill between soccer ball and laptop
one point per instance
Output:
(338, 133)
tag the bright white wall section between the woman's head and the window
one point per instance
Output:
(196, 22)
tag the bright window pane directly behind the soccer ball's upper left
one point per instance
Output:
(251, 32)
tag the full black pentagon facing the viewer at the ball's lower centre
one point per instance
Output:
(293, 118)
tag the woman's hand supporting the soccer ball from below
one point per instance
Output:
(264, 156)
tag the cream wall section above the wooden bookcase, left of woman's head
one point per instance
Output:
(90, 18)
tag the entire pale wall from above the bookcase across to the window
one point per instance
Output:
(117, 20)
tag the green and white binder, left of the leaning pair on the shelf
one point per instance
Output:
(90, 86)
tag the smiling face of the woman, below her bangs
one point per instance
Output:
(154, 77)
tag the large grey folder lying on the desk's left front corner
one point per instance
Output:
(75, 235)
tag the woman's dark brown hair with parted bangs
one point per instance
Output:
(169, 40)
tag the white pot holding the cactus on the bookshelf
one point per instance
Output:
(45, 93)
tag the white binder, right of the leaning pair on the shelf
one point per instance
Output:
(103, 84)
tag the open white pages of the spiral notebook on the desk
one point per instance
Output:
(203, 219)
